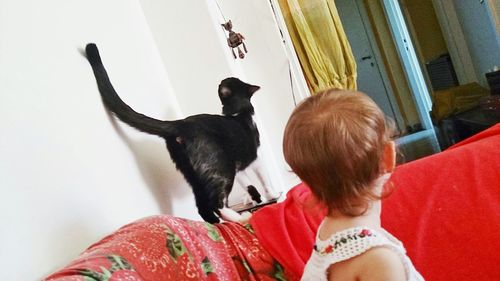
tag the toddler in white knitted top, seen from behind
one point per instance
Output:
(338, 142)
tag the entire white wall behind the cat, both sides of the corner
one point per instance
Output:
(68, 174)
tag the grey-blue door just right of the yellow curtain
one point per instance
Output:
(370, 79)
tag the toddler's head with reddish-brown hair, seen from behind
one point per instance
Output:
(338, 143)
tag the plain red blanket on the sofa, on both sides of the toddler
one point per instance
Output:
(445, 210)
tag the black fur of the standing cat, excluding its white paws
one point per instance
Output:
(207, 149)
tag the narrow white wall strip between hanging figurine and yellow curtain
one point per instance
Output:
(266, 65)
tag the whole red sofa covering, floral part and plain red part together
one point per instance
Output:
(445, 209)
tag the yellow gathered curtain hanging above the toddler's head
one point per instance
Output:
(321, 44)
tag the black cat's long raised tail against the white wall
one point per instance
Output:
(114, 103)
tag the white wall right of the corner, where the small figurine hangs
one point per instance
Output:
(193, 26)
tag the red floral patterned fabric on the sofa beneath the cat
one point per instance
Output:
(170, 248)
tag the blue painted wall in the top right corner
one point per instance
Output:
(480, 34)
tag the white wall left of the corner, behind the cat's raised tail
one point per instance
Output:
(66, 176)
